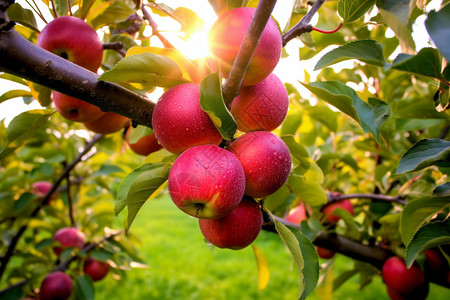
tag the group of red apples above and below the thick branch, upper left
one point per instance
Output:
(75, 40)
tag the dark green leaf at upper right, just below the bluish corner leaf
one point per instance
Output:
(427, 63)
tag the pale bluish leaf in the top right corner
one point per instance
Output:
(438, 27)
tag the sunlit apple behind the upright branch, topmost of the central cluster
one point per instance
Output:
(227, 34)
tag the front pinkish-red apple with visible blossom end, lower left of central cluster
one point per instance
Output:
(206, 182)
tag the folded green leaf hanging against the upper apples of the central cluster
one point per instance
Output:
(212, 103)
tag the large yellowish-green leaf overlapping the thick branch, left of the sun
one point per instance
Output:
(146, 69)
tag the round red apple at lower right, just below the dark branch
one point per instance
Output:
(401, 279)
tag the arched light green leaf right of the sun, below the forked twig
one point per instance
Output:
(367, 51)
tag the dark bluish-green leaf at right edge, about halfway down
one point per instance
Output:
(423, 154)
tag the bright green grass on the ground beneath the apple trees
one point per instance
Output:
(182, 266)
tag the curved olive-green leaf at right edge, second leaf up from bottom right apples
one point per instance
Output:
(418, 212)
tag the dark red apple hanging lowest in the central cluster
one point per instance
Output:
(236, 230)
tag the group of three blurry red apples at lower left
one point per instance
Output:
(59, 285)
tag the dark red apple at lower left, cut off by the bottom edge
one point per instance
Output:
(56, 286)
